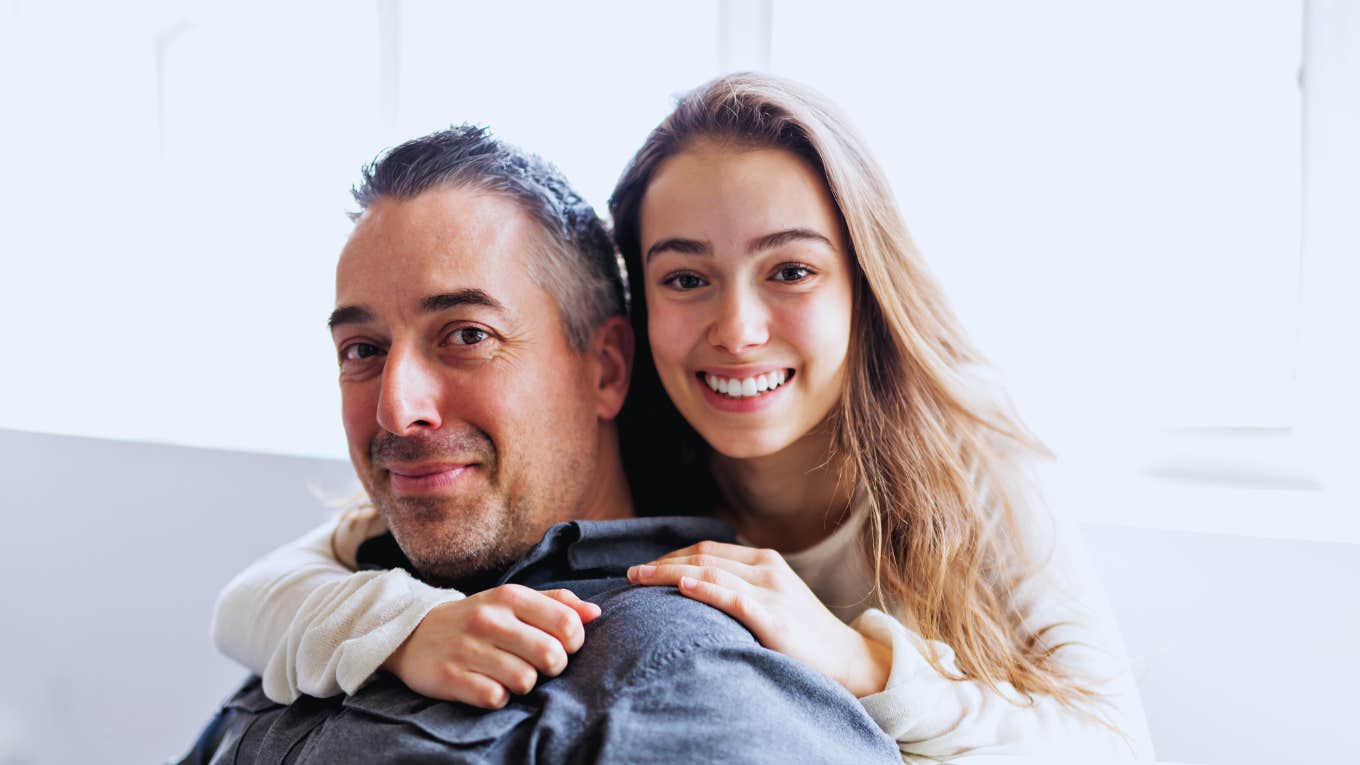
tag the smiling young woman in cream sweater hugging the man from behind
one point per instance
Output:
(802, 376)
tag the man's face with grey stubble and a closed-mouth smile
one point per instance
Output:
(471, 420)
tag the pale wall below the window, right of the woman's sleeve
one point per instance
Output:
(1244, 649)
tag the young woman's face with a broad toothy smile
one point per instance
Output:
(749, 295)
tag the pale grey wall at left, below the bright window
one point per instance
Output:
(111, 560)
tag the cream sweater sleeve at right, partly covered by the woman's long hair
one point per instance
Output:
(938, 718)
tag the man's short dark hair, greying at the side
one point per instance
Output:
(579, 266)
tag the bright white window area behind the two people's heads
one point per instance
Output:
(1115, 197)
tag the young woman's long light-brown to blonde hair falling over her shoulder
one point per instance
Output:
(942, 470)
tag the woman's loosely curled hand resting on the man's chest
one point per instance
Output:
(489, 646)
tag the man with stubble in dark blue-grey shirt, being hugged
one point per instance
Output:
(483, 359)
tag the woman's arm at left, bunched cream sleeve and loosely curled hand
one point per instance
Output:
(311, 625)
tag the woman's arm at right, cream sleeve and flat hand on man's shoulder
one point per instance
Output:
(885, 665)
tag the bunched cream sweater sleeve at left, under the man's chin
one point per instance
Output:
(309, 625)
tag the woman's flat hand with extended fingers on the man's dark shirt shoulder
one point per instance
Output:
(760, 590)
